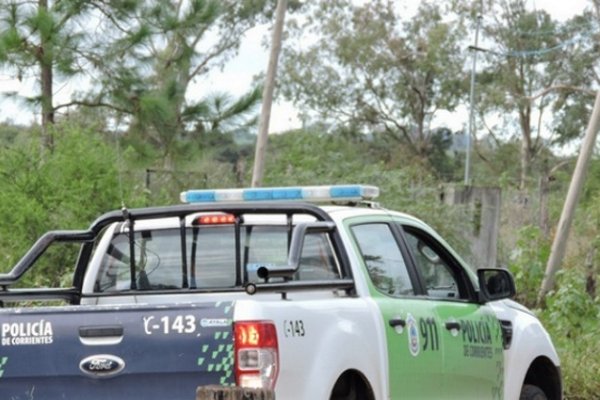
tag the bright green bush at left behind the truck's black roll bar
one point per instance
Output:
(65, 189)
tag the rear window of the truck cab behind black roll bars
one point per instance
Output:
(210, 257)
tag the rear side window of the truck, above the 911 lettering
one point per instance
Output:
(383, 259)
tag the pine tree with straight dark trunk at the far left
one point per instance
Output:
(42, 38)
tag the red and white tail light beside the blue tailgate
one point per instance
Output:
(256, 354)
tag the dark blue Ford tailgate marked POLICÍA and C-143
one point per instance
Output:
(115, 352)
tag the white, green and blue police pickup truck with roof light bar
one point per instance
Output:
(263, 289)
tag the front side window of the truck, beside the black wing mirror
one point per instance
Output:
(440, 279)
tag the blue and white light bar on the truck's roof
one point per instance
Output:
(334, 193)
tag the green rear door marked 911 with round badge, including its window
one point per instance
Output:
(415, 351)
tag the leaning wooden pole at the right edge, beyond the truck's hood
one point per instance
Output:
(559, 244)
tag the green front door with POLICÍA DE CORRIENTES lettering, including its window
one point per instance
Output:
(470, 333)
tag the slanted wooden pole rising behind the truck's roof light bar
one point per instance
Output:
(265, 113)
